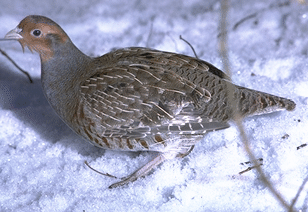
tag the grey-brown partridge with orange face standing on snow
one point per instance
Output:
(136, 98)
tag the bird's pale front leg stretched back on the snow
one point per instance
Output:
(144, 170)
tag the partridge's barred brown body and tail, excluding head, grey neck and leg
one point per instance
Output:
(144, 99)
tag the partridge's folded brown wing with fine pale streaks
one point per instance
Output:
(142, 91)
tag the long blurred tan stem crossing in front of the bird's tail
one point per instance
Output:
(223, 47)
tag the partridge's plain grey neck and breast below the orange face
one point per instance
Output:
(61, 79)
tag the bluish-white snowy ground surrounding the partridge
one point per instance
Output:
(42, 161)
